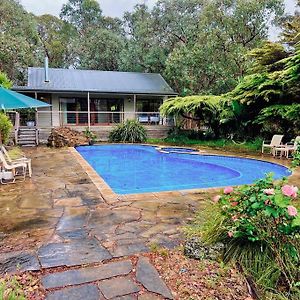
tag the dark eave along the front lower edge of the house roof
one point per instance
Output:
(44, 90)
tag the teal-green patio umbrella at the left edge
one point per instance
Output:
(13, 100)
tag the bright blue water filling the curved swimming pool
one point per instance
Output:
(131, 169)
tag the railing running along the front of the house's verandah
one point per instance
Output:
(47, 119)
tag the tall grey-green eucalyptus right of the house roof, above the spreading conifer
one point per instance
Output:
(226, 31)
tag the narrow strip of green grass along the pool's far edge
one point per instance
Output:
(220, 144)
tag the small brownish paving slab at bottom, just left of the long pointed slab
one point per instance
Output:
(118, 287)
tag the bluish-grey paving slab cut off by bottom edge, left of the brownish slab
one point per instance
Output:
(75, 293)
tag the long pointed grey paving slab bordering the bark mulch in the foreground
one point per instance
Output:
(147, 275)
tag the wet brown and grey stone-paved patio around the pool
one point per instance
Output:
(88, 245)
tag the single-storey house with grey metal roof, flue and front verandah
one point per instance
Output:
(96, 99)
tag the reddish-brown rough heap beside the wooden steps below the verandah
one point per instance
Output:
(66, 137)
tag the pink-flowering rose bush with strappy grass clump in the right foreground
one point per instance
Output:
(260, 229)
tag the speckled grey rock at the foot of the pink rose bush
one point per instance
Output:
(194, 248)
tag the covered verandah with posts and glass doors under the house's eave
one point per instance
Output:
(90, 109)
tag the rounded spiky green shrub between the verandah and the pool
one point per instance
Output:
(131, 131)
